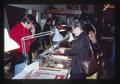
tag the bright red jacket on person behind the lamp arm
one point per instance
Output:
(17, 32)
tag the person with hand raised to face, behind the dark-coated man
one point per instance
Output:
(91, 32)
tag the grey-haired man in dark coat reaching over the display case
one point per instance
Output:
(80, 49)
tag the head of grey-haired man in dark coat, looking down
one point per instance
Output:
(77, 28)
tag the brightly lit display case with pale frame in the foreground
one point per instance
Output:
(53, 67)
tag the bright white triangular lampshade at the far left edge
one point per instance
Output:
(10, 44)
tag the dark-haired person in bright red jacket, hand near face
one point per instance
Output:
(23, 28)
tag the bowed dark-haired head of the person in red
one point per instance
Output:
(28, 21)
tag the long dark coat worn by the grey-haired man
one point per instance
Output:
(80, 50)
